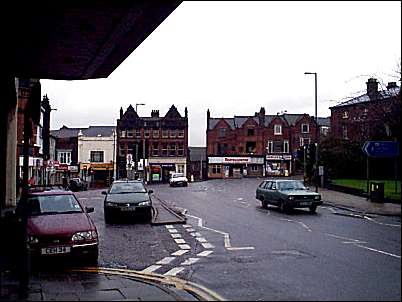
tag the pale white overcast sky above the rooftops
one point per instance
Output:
(235, 57)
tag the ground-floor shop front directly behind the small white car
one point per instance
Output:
(160, 169)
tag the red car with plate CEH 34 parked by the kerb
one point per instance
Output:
(58, 225)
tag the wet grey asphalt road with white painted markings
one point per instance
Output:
(244, 252)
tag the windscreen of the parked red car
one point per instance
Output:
(52, 204)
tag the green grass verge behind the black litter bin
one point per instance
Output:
(389, 186)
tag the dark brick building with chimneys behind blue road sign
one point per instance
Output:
(374, 115)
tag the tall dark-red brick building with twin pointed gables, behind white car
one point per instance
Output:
(151, 147)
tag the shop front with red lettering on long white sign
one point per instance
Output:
(235, 167)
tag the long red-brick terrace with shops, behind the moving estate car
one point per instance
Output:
(259, 145)
